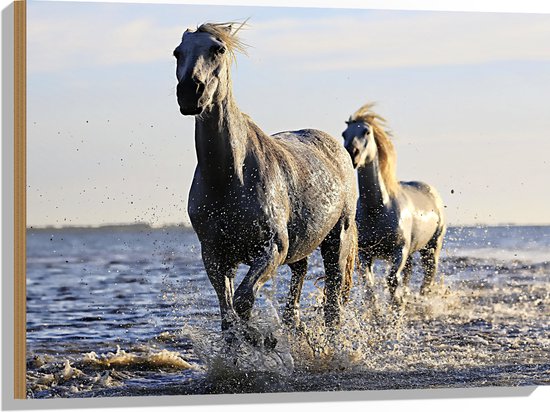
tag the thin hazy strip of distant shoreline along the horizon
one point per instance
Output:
(183, 227)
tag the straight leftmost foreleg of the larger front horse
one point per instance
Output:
(221, 274)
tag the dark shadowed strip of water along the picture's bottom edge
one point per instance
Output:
(261, 382)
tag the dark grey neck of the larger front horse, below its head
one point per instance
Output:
(220, 141)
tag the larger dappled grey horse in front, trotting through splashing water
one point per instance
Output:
(261, 200)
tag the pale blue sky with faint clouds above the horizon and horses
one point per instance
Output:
(465, 94)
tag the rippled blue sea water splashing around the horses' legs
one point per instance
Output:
(129, 311)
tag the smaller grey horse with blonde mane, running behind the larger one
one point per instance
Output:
(394, 219)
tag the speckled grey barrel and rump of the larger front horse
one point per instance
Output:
(318, 182)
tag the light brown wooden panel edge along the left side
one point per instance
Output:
(20, 203)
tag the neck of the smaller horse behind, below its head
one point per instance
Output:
(373, 195)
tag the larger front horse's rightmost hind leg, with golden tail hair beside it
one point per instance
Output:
(338, 251)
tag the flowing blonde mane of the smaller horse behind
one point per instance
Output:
(382, 136)
